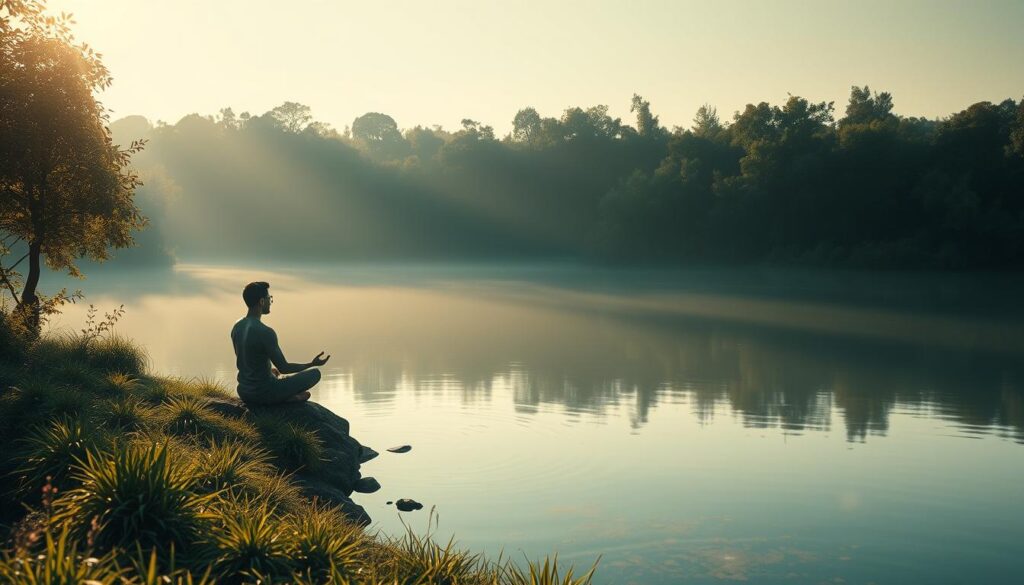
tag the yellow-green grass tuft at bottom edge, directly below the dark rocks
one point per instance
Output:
(325, 546)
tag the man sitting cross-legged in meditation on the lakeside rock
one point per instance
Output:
(257, 348)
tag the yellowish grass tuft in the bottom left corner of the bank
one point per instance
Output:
(61, 563)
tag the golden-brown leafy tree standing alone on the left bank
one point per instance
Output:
(67, 191)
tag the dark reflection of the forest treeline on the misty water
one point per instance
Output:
(799, 363)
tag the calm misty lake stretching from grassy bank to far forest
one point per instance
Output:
(689, 428)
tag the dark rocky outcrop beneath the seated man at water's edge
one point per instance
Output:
(332, 483)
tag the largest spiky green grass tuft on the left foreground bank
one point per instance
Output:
(137, 495)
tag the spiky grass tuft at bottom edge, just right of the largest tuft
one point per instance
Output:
(249, 544)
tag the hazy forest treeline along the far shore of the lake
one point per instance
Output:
(786, 185)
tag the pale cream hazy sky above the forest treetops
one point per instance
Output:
(437, 62)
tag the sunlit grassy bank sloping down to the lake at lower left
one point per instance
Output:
(112, 475)
